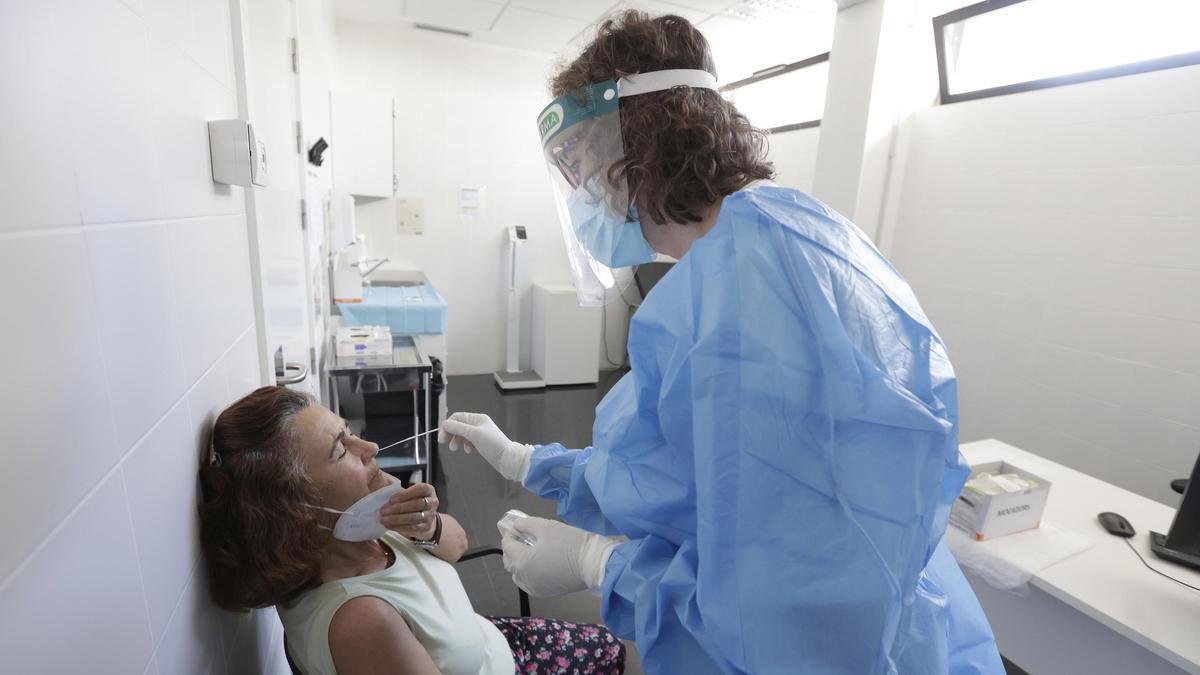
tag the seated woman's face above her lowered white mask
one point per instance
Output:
(340, 464)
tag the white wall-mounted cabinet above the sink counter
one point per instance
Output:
(364, 144)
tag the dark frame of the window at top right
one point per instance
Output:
(986, 7)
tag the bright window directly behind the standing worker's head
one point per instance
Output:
(784, 98)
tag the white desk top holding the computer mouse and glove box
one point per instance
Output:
(1108, 583)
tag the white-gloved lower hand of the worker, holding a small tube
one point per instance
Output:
(562, 560)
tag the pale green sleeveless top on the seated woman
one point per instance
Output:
(428, 594)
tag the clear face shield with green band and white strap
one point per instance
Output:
(581, 141)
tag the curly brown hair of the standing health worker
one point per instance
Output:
(685, 148)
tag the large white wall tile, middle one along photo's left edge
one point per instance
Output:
(56, 410)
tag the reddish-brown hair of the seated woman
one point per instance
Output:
(260, 540)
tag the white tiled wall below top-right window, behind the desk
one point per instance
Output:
(1054, 238)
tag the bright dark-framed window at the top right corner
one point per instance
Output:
(1007, 46)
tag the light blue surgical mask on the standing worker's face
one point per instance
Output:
(610, 238)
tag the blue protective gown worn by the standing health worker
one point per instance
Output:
(783, 457)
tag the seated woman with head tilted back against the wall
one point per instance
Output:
(280, 470)
